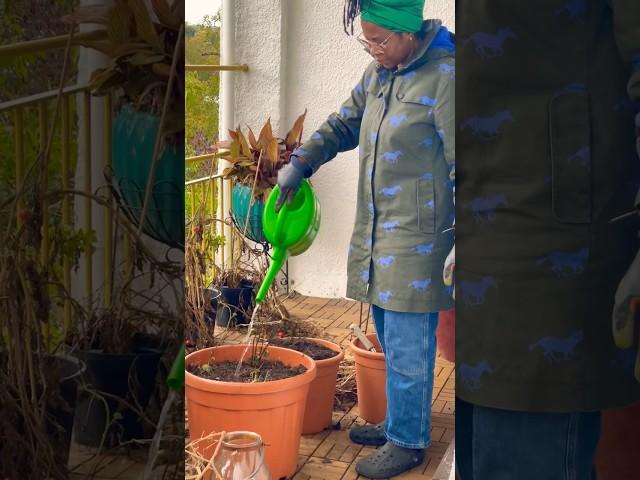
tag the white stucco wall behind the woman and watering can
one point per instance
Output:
(299, 57)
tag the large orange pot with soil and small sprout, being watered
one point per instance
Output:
(254, 387)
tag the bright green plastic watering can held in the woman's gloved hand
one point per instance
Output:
(289, 231)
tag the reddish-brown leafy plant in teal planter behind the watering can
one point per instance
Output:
(254, 170)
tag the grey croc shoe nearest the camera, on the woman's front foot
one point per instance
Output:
(389, 461)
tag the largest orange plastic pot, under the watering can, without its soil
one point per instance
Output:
(274, 410)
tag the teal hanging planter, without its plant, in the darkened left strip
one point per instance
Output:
(133, 138)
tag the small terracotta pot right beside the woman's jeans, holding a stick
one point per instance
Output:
(371, 377)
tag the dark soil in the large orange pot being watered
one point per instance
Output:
(226, 371)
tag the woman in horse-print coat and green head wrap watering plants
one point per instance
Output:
(401, 115)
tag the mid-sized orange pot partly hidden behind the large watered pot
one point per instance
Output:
(319, 411)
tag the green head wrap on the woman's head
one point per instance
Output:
(394, 15)
